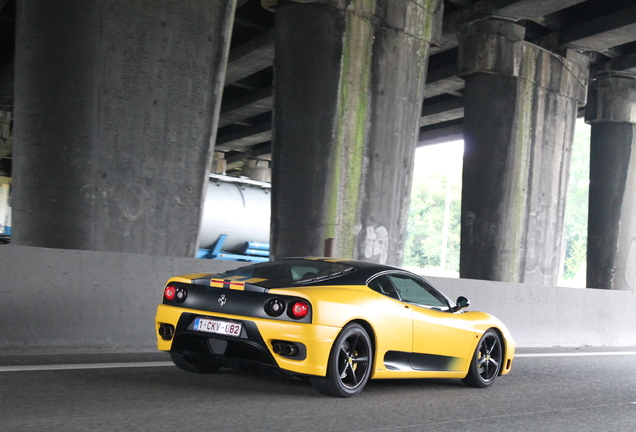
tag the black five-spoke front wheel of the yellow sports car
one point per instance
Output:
(486, 362)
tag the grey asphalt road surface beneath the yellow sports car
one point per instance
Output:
(570, 391)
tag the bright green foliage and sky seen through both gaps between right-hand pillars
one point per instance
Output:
(435, 167)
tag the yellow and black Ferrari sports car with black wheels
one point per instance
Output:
(336, 322)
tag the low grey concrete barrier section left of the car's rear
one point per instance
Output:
(56, 300)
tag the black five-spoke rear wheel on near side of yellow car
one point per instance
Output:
(349, 365)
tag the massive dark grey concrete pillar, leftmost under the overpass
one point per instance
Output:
(116, 107)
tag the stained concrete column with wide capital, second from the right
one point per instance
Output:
(520, 108)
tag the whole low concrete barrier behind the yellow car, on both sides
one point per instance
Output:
(54, 301)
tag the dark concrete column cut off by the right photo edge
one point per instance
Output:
(611, 238)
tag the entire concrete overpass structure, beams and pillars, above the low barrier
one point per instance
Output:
(119, 107)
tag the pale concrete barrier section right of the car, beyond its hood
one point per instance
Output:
(551, 316)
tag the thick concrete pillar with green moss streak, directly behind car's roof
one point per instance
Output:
(349, 78)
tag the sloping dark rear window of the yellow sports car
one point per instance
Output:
(284, 273)
